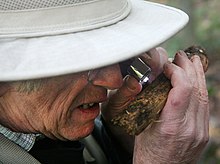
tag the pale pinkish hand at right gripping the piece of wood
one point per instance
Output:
(182, 132)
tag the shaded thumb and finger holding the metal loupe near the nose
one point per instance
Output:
(119, 99)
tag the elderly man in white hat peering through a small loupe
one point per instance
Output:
(59, 59)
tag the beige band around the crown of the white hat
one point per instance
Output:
(63, 19)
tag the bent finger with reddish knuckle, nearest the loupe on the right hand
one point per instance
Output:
(179, 96)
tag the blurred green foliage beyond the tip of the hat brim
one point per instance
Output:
(203, 28)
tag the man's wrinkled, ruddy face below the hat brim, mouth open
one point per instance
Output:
(61, 107)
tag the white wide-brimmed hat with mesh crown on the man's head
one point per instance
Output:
(55, 37)
